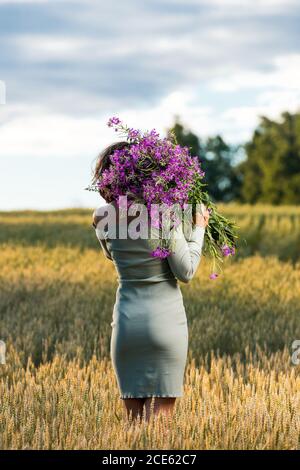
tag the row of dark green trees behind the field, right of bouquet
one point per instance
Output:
(269, 170)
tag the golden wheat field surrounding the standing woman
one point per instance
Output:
(58, 389)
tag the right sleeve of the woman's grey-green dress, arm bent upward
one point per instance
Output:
(185, 259)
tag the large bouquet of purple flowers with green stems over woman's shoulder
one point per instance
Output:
(158, 171)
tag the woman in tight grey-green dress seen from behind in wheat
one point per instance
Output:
(149, 338)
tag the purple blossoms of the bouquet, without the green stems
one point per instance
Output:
(155, 170)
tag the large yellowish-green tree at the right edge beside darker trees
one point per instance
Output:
(271, 172)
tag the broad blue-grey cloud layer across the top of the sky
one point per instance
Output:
(169, 44)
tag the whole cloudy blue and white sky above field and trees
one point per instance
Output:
(66, 66)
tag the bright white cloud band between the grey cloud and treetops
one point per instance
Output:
(60, 135)
